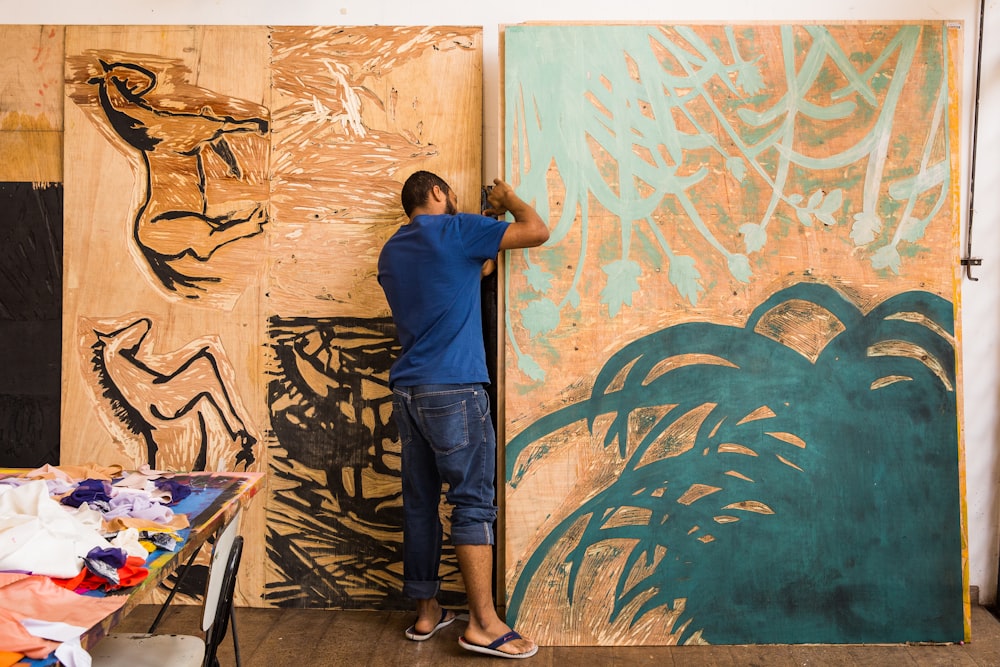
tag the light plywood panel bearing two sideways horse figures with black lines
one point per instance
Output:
(166, 181)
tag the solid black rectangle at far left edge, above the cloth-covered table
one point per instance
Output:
(31, 241)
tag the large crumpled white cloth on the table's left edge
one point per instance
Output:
(37, 535)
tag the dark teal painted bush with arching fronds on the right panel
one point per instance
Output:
(864, 545)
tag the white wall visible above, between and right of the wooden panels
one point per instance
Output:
(980, 299)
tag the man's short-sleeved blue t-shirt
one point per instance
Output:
(430, 273)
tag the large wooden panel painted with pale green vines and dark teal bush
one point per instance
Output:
(754, 236)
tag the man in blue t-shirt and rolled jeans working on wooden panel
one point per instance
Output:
(430, 271)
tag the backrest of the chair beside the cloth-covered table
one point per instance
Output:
(221, 589)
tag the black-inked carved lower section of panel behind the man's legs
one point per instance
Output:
(335, 521)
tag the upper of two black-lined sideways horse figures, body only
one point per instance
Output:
(184, 140)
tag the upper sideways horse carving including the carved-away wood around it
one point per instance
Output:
(200, 164)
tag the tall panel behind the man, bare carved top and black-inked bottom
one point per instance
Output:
(356, 110)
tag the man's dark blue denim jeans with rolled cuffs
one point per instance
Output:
(447, 438)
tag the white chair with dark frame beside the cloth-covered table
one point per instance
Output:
(152, 650)
